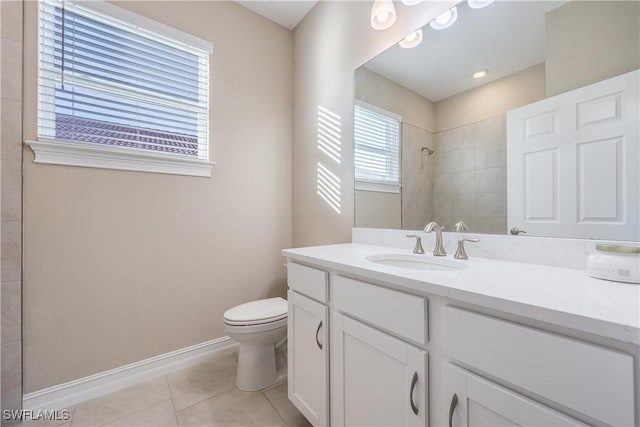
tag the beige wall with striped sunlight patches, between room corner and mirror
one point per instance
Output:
(331, 42)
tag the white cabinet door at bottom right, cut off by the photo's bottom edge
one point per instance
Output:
(474, 401)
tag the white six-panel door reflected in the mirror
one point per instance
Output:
(573, 162)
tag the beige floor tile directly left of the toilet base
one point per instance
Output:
(203, 381)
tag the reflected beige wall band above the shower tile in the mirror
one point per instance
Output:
(492, 99)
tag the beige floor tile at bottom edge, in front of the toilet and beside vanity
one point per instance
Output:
(233, 408)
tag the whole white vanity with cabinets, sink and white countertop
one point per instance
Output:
(380, 336)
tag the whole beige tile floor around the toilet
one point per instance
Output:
(202, 395)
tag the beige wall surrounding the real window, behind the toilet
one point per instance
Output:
(122, 266)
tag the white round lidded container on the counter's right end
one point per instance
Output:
(620, 263)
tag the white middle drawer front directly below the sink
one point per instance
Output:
(401, 314)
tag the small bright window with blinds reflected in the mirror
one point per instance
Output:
(377, 148)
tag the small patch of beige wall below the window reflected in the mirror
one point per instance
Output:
(377, 209)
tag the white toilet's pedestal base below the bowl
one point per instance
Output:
(256, 366)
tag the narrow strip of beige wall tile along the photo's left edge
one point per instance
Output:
(11, 203)
